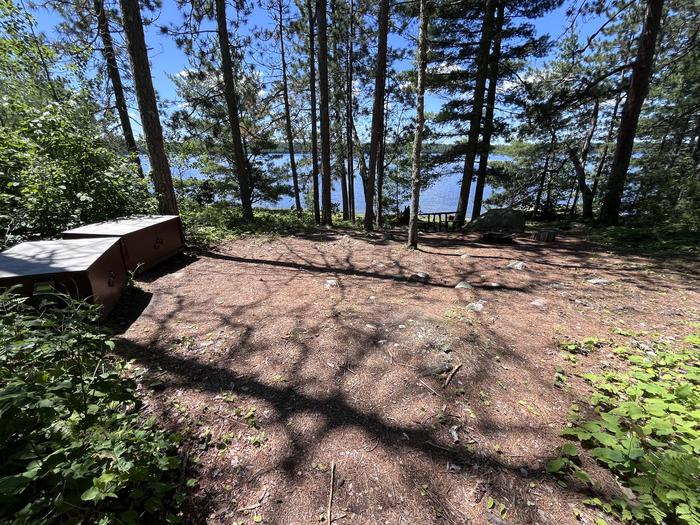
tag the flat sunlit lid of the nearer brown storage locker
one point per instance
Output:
(47, 257)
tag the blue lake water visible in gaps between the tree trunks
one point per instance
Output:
(441, 196)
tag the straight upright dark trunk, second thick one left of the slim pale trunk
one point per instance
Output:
(326, 205)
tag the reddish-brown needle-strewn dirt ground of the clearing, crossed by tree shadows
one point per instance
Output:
(279, 357)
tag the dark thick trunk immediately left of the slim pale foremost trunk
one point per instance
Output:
(377, 110)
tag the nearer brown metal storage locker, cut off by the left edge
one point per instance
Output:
(90, 269)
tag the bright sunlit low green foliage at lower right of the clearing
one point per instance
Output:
(646, 433)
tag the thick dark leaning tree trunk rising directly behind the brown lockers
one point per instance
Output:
(148, 108)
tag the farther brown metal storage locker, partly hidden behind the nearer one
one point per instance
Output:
(146, 240)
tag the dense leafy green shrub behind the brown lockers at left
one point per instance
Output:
(56, 173)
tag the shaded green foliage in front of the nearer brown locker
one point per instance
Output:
(74, 447)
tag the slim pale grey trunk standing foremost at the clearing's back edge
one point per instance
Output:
(420, 123)
